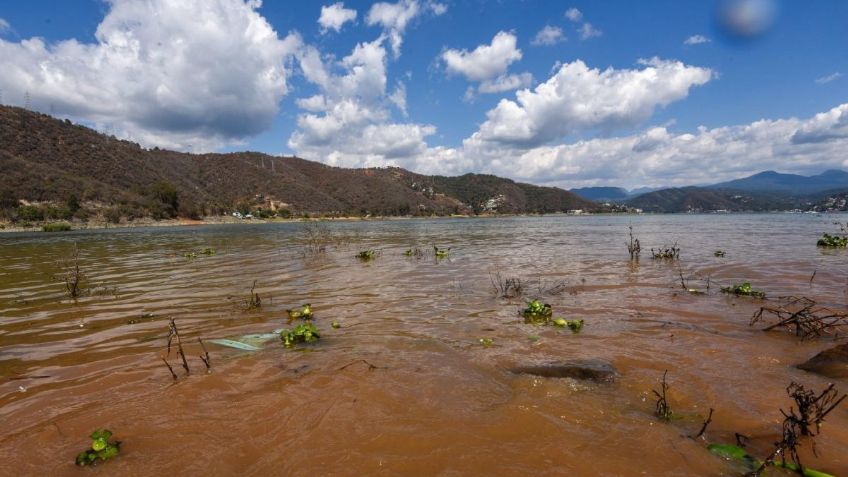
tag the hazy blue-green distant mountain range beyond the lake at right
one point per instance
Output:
(765, 191)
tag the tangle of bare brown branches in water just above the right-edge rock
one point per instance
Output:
(803, 317)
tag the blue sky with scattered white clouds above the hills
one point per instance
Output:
(561, 93)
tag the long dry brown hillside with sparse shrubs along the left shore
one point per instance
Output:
(70, 170)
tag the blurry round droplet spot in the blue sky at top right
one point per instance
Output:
(746, 19)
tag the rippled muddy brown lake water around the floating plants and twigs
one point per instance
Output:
(436, 401)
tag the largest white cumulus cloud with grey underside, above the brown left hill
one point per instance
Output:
(185, 74)
